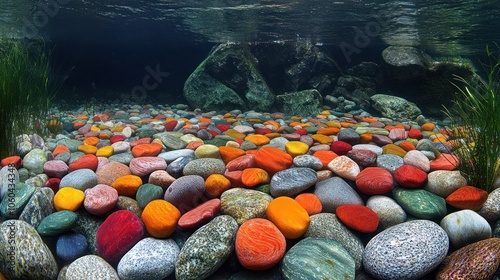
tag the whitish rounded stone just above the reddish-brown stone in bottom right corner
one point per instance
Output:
(465, 227)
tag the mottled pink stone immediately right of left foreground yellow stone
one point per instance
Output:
(100, 199)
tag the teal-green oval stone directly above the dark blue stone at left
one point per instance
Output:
(57, 223)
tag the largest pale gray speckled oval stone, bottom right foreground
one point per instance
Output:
(406, 251)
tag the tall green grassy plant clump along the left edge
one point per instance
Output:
(26, 90)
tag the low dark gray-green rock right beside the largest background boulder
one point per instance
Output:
(301, 103)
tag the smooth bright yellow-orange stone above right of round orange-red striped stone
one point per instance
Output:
(289, 216)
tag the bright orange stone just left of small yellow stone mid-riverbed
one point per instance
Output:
(272, 159)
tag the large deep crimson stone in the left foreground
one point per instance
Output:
(117, 234)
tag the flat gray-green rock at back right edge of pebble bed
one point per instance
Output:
(394, 107)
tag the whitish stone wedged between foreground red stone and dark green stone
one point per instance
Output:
(389, 212)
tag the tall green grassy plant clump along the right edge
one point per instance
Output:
(475, 117)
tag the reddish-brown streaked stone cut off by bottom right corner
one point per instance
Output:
(479, 260)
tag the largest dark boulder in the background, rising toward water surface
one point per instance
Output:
(228, 79)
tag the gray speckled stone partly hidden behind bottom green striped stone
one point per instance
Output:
(327, 225)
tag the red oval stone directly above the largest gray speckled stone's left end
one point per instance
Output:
(358, 217)
